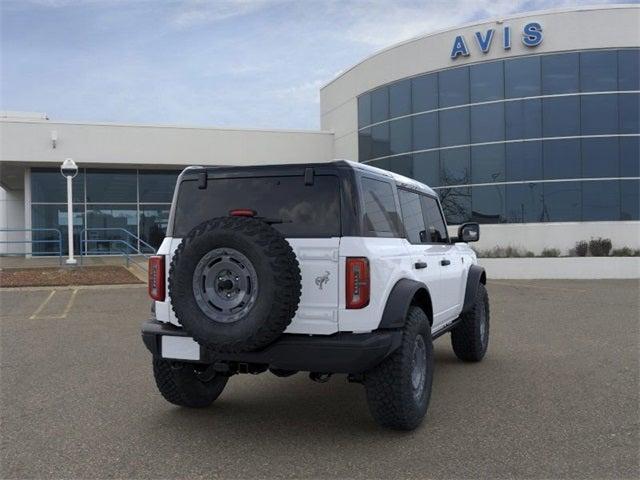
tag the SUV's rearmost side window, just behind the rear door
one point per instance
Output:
(380, 215)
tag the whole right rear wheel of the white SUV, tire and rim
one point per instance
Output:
(399, 388)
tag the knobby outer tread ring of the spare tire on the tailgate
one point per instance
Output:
(282, 261)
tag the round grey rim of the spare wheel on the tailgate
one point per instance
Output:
(225, 285)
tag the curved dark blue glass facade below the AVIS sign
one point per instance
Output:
(538, 138)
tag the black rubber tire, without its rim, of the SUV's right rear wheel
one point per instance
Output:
(390, 401)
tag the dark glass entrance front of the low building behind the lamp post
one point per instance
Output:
(108, 203)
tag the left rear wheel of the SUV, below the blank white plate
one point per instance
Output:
(180, 384)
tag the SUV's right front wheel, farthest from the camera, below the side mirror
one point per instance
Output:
(470, 338)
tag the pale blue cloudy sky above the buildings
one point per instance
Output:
(243, 63)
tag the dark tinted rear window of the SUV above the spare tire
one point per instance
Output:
(304, 210)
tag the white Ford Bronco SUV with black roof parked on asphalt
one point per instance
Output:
(325, 268)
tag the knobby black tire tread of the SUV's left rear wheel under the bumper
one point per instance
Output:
(165, 377)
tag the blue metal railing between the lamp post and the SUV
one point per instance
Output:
(129, 247)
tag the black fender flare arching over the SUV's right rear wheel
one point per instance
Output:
(400, 299)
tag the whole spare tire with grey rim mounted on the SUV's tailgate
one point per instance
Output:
(234, 284)
